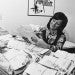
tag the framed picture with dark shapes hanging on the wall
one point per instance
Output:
(41, 7)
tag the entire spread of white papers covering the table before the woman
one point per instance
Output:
(16, 53)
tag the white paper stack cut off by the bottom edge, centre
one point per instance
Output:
(37, 69)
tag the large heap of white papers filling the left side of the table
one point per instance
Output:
(16, 53)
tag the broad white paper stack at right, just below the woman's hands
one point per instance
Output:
(60, 60)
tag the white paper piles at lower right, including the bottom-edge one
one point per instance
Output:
(58, 63)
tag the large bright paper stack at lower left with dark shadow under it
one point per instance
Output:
(16, 58)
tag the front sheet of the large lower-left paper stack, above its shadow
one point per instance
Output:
(18, 62)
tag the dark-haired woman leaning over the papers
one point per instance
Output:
(52, 35)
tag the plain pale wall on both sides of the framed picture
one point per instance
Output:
(13, 13)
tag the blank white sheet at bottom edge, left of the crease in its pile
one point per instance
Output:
(35, 69)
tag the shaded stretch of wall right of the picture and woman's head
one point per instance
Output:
(67, 6)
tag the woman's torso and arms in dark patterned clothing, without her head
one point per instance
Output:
(54, 39)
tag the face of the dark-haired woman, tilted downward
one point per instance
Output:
(54, 24)
